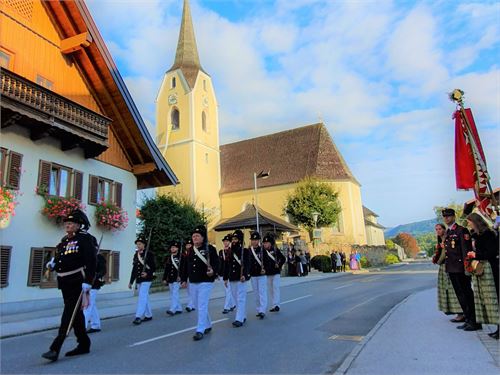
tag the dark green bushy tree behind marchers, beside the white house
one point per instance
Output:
(171, 218)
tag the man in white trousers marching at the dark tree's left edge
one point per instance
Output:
(143, 272)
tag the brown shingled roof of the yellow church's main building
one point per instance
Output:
(291, 155)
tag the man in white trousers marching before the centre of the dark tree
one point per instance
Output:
(172, 277)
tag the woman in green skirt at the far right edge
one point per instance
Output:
(485, 283)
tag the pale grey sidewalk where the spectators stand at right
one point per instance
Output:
(414, 338)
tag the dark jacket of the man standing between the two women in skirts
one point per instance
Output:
(456, 244)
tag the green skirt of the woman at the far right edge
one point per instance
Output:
(485, 296)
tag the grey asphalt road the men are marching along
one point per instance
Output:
(318, 326)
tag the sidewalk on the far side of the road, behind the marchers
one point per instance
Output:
(111, 307)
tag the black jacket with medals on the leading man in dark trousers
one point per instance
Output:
(76, 252)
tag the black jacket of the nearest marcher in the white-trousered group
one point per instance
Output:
(196, 270)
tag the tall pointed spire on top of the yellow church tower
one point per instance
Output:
(186, 56)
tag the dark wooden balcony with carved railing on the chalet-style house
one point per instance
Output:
(46, 113)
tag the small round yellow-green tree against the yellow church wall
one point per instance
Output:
(311, 196)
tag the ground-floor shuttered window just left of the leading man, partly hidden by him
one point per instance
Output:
(38, 274)
